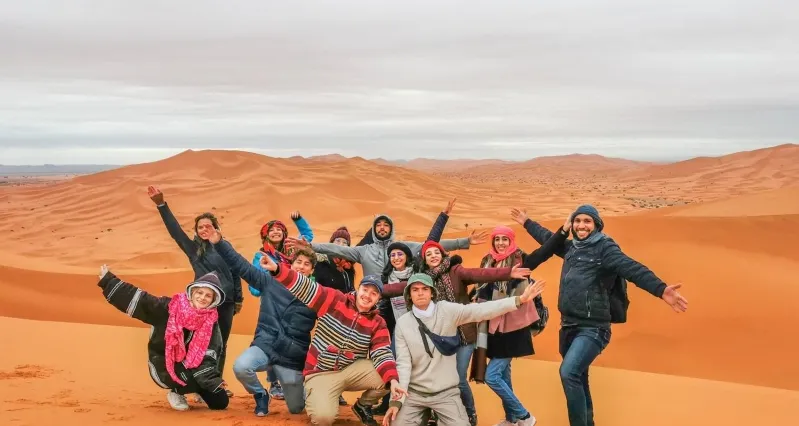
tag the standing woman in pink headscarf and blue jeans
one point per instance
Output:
(510, 335)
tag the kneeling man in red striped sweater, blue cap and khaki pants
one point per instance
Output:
(350, 350)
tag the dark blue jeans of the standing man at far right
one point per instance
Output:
(579, 347)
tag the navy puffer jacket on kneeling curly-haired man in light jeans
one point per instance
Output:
(284, 325)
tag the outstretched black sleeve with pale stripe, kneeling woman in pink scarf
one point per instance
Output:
(133, 301)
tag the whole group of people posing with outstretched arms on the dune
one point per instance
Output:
(411, 336)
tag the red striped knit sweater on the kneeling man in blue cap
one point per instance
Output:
(343, 335)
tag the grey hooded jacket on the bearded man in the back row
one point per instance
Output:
(373, 256)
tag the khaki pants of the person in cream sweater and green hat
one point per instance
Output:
(446, 404)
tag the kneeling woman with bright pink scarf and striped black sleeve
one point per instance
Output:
(185, 342)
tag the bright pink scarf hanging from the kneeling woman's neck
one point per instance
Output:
(182, 315)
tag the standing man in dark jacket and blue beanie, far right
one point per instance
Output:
(589, 259)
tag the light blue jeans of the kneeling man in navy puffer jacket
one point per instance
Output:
(254, 360)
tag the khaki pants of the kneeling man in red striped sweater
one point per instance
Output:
(323, 389)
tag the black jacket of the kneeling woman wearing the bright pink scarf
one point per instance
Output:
(153, 310)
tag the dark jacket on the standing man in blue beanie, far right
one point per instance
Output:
(582, 299)
